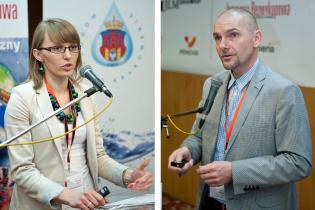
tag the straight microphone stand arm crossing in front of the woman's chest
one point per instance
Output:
(88, 93)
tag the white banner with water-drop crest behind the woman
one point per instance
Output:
(117, 39)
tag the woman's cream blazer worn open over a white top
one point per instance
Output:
(37, 170)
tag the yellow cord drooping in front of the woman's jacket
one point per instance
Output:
(56, 137)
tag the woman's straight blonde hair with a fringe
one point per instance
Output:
(59, 31)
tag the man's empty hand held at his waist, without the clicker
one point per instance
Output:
(216, 173)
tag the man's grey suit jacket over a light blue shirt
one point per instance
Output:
(269, 147)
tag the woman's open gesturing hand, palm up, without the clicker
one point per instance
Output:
(139, 179)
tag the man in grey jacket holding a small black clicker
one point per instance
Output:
(255, 142)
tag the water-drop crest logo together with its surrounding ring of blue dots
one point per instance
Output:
(113, 45)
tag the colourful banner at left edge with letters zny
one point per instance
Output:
(13, 70)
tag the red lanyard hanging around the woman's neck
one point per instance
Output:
(69, 141)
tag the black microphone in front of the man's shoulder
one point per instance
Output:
(215, 85)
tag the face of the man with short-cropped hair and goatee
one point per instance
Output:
(235, 44)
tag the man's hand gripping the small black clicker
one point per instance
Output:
(177, 156)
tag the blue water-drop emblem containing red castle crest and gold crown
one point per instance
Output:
(112, 45)
